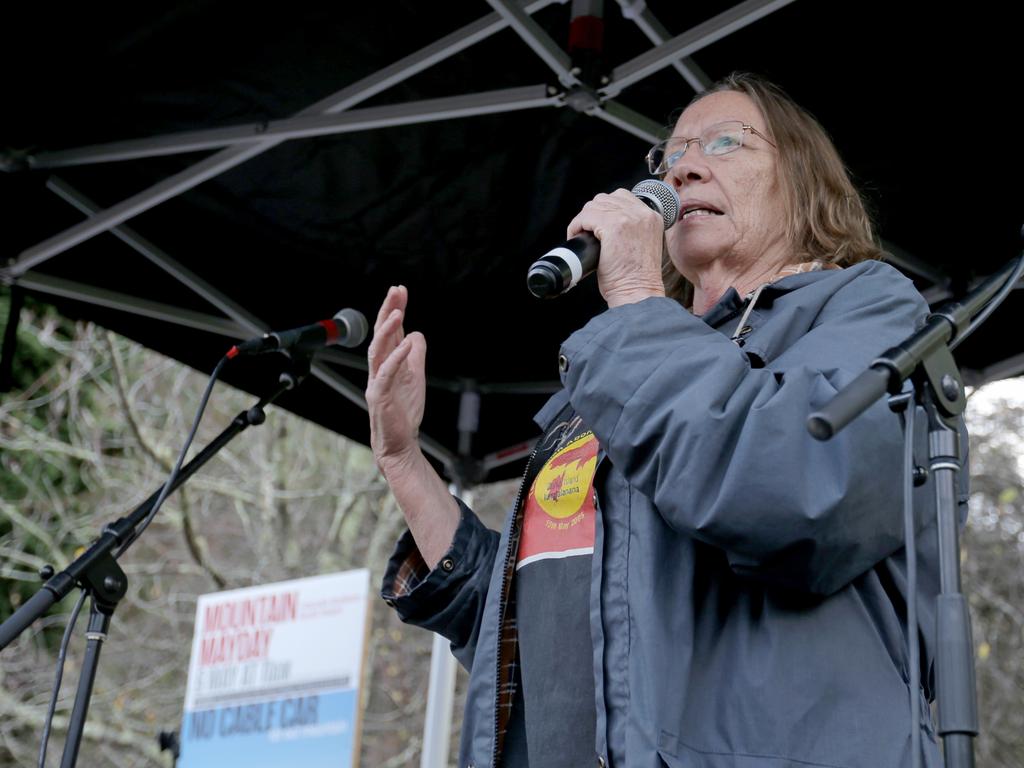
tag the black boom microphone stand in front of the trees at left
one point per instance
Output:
(97, 572)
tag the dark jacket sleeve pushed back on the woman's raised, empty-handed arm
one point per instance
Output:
(450, 599)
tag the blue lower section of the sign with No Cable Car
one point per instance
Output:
(315, 732)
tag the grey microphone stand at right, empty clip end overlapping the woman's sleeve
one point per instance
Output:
(925, 358)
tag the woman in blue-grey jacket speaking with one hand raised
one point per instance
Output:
(688, 578)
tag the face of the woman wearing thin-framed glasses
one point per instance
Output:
(747, 220)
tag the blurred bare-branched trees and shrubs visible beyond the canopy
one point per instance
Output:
(92, 429)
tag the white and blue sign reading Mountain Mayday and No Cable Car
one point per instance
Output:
(275, 675)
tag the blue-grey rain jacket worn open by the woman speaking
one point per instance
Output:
(748, 607)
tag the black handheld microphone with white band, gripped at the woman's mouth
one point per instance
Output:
(563, 268)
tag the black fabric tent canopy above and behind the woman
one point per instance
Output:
(262, 169)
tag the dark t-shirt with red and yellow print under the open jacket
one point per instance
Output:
(552, 583)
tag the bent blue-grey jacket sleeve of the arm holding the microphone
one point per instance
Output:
(721, 447)
